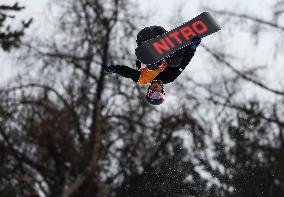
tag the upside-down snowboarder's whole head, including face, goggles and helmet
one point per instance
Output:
(155, 94)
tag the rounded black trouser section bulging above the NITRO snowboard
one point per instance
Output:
(148, 33)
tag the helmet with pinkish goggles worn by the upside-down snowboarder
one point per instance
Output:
(154, 97)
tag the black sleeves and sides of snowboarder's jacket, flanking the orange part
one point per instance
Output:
(180, 59)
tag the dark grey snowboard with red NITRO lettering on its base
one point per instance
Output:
(162, 46)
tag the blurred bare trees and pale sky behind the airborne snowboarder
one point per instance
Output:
(67, 129)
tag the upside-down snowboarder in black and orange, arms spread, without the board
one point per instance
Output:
(160, 73)
